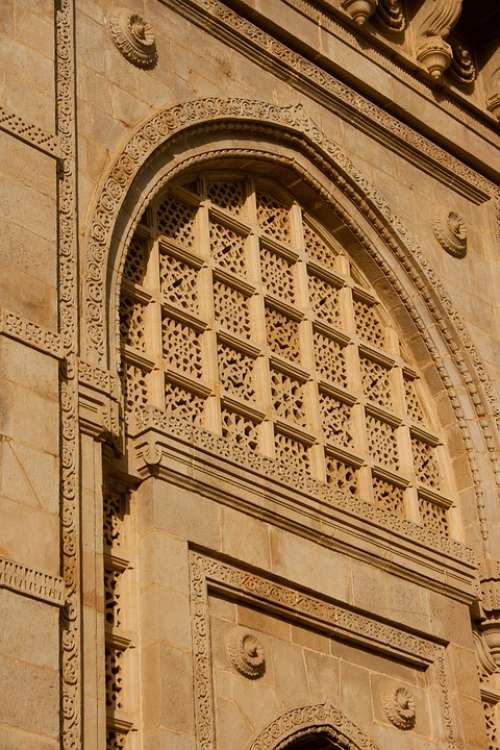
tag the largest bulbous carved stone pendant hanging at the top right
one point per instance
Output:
(433, 51)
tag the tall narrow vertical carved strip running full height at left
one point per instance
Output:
(68, 310)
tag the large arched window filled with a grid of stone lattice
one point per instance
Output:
(241, 314)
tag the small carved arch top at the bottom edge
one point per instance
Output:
(322, 720)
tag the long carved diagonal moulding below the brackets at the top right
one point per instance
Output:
(346, 102)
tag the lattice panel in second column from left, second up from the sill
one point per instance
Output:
(182, 347)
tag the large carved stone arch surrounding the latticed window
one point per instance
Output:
(176, 138)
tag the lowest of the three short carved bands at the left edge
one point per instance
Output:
(35, 583)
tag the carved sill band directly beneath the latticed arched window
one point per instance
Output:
(299, 480)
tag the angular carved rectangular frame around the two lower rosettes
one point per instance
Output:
(338, 619)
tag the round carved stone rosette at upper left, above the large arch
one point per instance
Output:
(134, 38)
